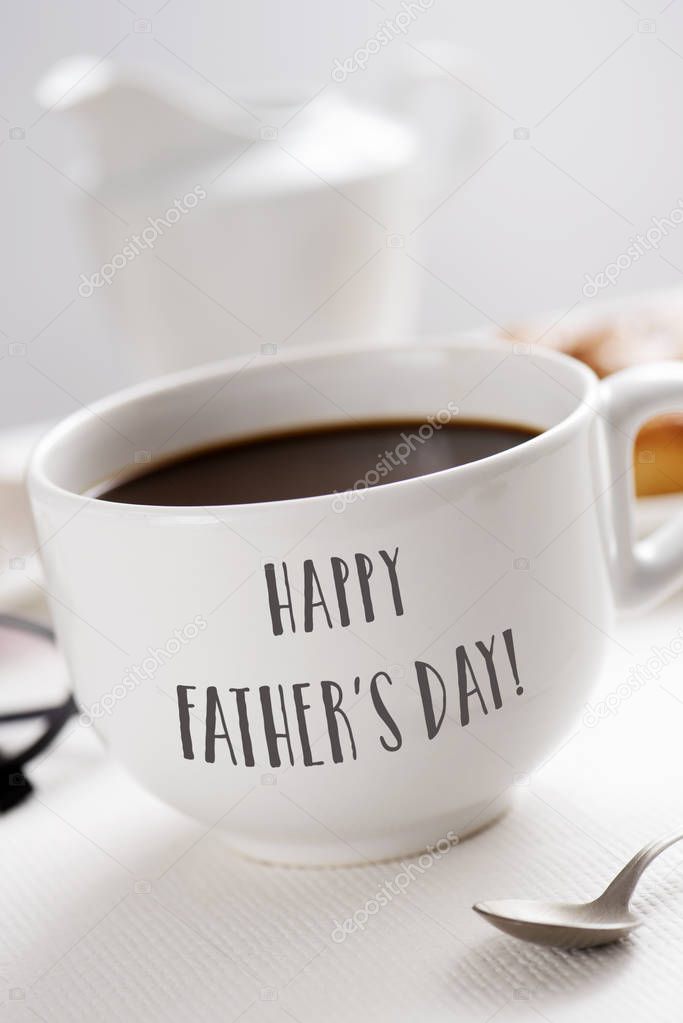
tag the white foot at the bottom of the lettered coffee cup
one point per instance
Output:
(411, 843)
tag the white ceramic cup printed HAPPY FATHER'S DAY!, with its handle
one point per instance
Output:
(453, 658)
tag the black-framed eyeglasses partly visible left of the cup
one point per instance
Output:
(15, 786)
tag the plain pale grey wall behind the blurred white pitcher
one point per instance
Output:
(518, 227)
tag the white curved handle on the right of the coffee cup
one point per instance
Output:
(644, 571)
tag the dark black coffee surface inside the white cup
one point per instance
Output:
(315, 462)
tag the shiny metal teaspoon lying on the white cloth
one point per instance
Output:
(568, 925)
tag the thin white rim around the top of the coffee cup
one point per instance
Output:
(39, 480)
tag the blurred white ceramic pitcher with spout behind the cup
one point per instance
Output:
(258, 223)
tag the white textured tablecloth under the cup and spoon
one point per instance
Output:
(114, 908)
